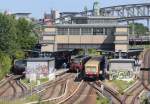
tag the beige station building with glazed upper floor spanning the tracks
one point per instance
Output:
(84, 32)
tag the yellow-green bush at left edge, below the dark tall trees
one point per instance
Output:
(5, 64)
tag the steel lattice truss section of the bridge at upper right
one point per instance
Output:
(132, 10)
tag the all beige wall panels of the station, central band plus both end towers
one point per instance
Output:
(86, 40)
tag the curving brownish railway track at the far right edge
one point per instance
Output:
(131, 96)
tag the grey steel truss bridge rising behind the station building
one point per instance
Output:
(128, 13)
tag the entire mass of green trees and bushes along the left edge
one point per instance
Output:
(15, 37)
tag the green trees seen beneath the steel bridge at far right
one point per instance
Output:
(139, 29)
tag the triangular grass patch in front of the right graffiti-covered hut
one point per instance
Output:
(121, 85)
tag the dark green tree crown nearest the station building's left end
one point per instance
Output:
(26, 37)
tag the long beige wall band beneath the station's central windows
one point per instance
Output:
(84, 39)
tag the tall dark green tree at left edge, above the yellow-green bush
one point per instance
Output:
(8, 34)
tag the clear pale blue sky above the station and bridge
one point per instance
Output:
(39, 7)
